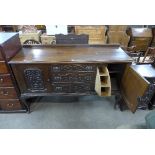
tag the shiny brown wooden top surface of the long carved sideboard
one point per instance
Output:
(71, 54)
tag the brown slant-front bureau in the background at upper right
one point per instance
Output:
(141, 38)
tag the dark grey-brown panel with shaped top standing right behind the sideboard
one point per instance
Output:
(71, 39)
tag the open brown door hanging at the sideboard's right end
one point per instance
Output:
(133, 88)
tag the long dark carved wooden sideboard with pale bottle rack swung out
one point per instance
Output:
(68, 69)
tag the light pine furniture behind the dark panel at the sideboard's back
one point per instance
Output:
(97, 34)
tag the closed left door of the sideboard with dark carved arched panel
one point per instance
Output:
(32, 78)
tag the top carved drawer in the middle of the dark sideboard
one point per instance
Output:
(73, 68)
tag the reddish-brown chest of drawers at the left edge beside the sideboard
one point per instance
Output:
(9, 92)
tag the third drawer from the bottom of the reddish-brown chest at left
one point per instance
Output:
(5, 80)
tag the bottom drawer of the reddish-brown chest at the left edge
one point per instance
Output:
(10, 105)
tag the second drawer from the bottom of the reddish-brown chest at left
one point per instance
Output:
(7, 93)
